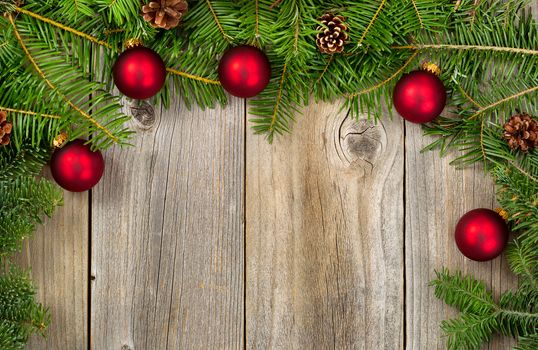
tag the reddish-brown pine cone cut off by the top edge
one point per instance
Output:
(165, 13)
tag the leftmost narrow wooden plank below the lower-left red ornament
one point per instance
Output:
(58, 257)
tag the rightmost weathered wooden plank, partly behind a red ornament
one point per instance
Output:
(437, 195)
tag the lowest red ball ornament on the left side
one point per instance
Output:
(77, 168)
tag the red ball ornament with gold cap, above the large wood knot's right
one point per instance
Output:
(420, 96)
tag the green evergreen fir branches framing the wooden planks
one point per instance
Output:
(56, 57)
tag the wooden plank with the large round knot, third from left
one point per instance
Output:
(324, 235)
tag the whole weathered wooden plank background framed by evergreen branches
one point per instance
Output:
(204, 236)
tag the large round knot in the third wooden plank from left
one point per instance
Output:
(360, 143)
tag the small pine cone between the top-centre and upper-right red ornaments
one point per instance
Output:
(333, 34)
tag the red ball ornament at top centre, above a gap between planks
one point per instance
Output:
(244, 71)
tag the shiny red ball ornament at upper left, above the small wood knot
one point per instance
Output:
(139, 73)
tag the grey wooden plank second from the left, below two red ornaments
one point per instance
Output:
(167, 235)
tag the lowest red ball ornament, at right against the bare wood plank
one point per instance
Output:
(481, 234)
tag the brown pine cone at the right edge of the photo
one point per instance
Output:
(521, 131)
